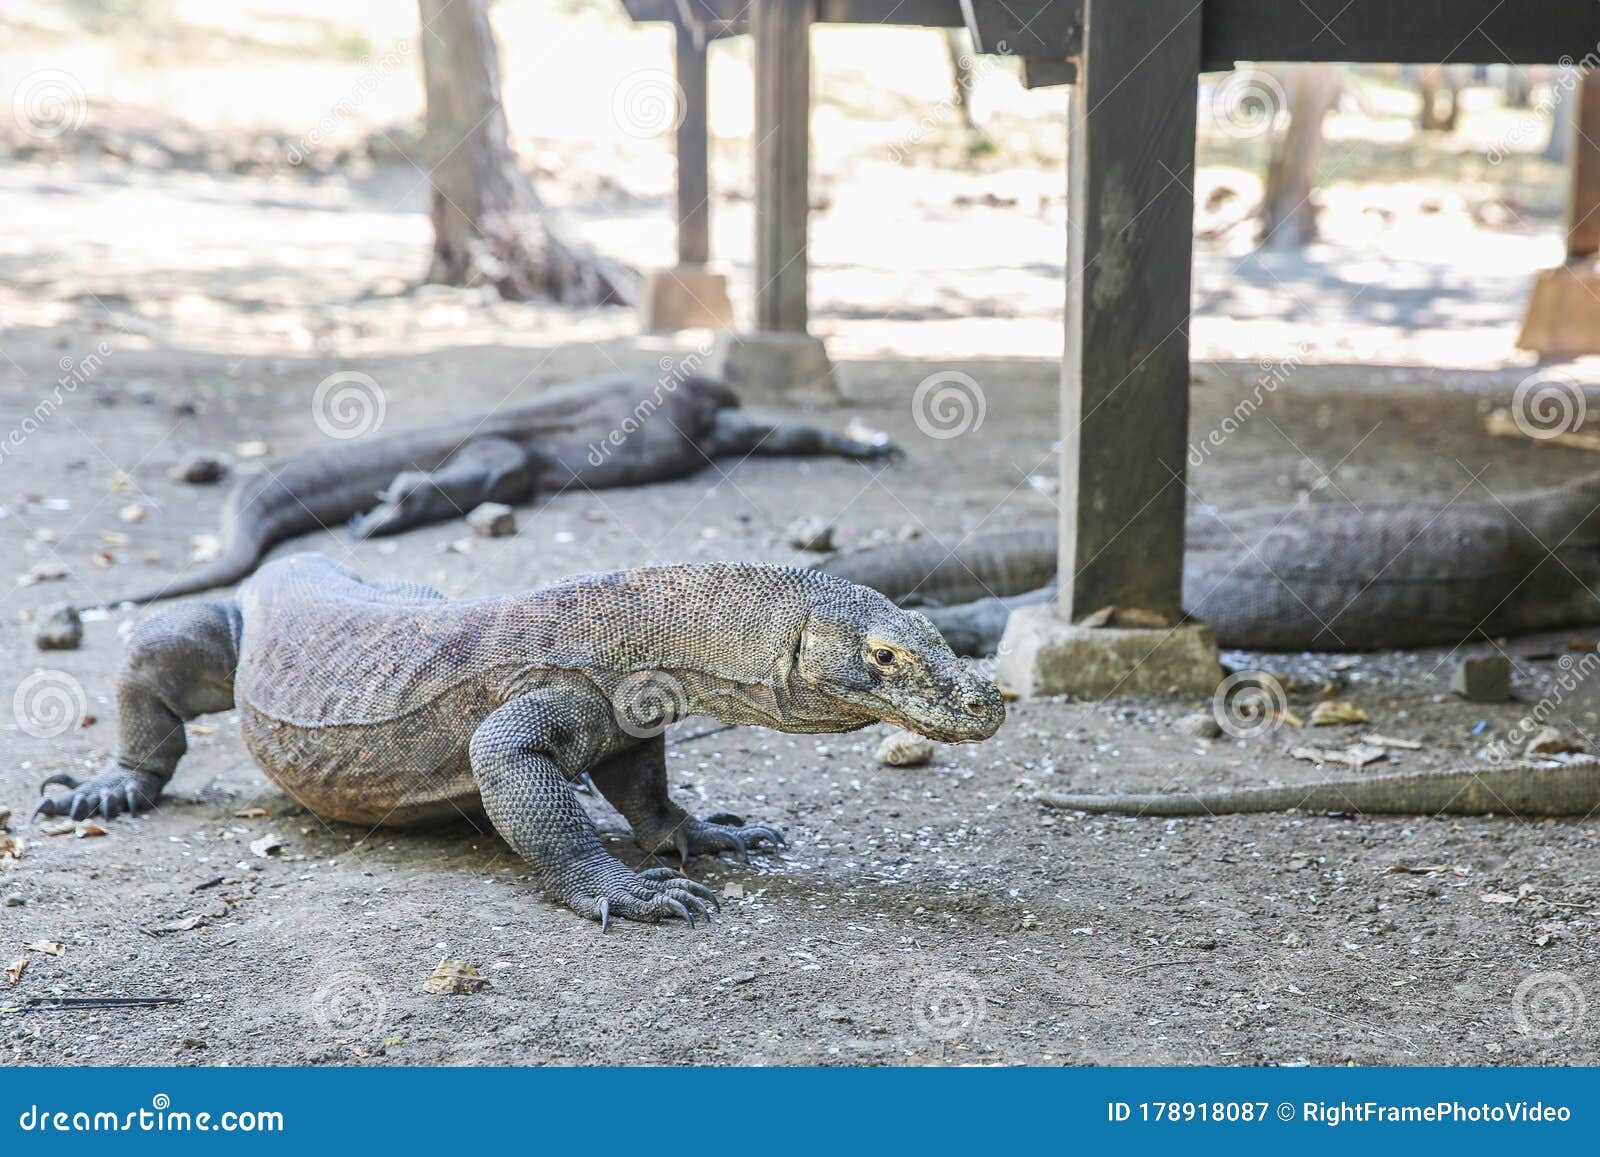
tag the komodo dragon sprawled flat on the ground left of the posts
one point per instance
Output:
(618, 431)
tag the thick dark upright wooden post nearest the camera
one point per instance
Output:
(1126, 372)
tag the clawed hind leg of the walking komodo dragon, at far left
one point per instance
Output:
(180, 665)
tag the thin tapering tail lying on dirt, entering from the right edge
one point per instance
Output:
(1513, 790)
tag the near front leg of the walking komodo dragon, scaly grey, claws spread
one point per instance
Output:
(524, 756)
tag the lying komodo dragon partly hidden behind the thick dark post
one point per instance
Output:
(1322, 578)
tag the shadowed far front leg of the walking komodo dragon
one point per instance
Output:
(636, 783)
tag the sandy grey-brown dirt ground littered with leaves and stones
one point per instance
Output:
(930, 916)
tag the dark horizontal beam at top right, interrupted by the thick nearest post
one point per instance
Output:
(1354, 31)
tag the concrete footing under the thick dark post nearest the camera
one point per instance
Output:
(1044, 654)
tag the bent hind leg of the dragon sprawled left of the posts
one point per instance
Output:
(481, 471)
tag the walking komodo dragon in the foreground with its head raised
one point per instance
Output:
(386, 703)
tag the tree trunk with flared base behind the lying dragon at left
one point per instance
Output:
(489, 223)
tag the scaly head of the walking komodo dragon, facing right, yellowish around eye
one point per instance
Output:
(870, 657)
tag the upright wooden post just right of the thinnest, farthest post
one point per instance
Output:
(783, 127)
